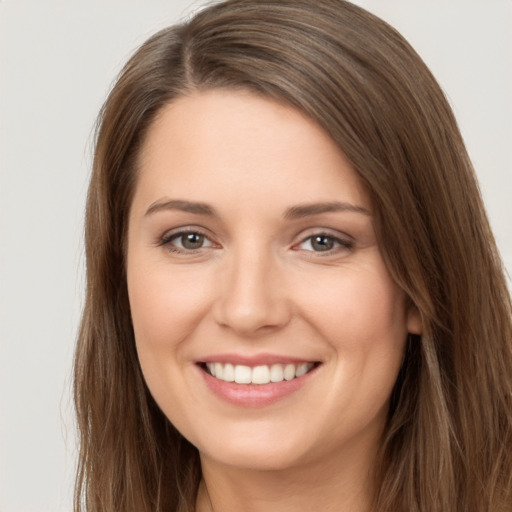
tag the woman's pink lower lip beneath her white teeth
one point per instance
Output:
(254, 395)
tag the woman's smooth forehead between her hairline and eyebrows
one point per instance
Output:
(209, 144)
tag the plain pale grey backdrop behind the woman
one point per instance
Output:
(57, 62)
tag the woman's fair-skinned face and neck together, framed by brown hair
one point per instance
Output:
(251, 244)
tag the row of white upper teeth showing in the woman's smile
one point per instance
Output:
(262, 374)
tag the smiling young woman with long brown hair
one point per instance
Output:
(294, 300)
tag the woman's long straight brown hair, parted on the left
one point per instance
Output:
(448, 441)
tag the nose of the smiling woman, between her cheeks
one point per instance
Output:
(251, 295)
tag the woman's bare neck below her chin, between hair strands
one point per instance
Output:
(338, 485)
